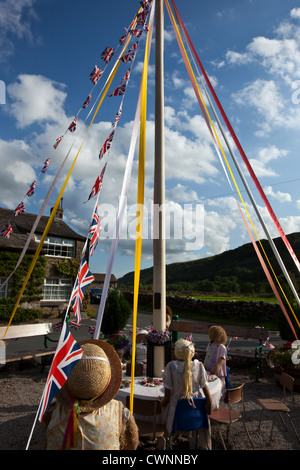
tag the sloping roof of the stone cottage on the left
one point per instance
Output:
(22, 225)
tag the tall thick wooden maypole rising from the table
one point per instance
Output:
(159, 263)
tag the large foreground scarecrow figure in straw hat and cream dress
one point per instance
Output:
(85, 415)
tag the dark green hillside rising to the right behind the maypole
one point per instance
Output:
(237, 270)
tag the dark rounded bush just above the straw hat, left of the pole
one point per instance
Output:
(116, 313)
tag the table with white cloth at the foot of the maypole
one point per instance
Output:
(142, 391)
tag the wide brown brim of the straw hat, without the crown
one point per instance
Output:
(65, 397)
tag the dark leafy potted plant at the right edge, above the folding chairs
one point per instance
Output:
(286, 359)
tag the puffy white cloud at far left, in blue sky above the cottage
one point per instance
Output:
(36, 99)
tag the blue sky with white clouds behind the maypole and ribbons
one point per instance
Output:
(251, 51)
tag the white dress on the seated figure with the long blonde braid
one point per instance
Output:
(173, 380)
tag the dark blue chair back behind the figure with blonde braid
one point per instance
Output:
(190, 415)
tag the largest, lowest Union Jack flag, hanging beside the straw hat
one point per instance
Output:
(68, 353)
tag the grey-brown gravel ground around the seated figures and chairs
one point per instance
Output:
(21, 391)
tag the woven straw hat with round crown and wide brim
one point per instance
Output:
(96, 378)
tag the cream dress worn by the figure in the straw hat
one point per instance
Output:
(97, 430)
